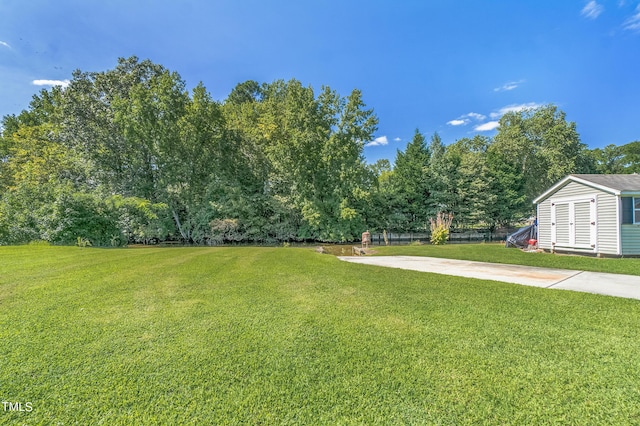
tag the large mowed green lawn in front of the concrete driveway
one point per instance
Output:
(290, 336)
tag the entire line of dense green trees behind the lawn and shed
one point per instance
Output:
(129, 155)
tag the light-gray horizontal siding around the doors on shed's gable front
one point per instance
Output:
(606, 211)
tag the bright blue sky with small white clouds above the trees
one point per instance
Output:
(451, 67)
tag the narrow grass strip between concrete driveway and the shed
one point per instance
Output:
(497, 253)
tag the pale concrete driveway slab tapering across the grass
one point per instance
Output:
(591, 282)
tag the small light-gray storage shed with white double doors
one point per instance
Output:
(591, 214)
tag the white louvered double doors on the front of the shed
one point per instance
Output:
(573, 224)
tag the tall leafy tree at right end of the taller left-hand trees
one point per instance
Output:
(308, 149)
